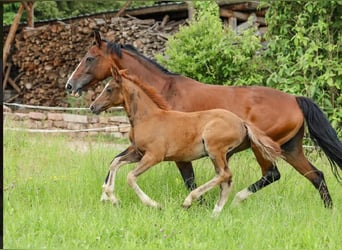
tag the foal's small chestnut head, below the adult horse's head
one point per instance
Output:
(111, 95)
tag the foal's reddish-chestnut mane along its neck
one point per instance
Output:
(149, 91)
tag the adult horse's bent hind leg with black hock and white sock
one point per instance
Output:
(270, 174)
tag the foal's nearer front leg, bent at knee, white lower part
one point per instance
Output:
(147, 161)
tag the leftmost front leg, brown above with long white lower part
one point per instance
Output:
(125, 157)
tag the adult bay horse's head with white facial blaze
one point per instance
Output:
(94, 67)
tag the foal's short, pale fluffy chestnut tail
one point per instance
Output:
(269, 148)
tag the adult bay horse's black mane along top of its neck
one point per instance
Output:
(116, 48)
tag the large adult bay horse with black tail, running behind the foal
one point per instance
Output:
(280, 115)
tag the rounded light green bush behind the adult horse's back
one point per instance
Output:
(206, 51)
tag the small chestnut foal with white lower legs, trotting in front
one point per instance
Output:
(161, 134)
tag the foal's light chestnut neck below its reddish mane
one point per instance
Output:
(138, 105)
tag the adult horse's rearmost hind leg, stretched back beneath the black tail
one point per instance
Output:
(293, 152)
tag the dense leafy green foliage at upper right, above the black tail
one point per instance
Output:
(304, 55)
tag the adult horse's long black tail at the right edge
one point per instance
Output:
(322, 133)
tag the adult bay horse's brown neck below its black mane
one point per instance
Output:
(146, 71)
